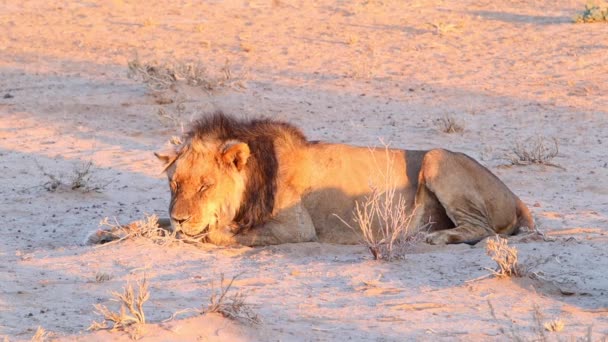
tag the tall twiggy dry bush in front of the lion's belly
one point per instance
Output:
(383, 218)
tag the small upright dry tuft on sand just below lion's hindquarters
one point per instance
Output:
(505, 258)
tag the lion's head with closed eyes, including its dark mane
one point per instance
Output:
(224, 173)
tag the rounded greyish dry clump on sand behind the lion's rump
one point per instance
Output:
(539, 150)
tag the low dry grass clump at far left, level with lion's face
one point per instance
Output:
(81, 179)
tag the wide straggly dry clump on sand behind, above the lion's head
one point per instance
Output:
(163, 76)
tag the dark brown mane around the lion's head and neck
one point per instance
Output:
(261, 135)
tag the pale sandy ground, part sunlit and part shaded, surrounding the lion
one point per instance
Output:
(344, 71)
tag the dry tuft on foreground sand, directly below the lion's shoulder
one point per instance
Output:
(231, 306)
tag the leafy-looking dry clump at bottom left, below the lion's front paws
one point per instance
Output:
(131, 317)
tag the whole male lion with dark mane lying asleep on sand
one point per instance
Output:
(260, 182)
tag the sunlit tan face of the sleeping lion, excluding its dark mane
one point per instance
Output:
(207, 183)
